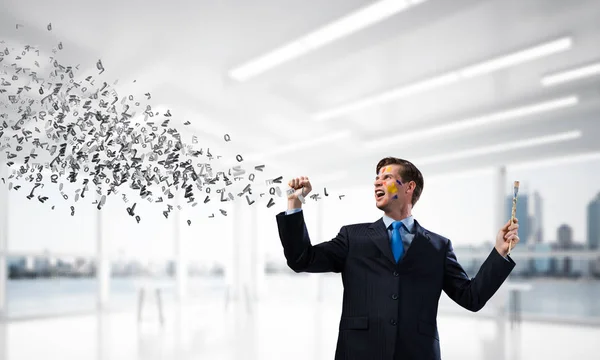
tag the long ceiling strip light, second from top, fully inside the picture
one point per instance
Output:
(485, 67)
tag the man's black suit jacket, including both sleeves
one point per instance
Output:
(389, 310)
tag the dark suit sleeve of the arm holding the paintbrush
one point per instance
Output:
(473, 294)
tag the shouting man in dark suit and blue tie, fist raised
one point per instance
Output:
(393, 270)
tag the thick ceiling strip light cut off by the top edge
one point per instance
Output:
(336, 30)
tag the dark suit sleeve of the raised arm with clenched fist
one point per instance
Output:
(301, 255)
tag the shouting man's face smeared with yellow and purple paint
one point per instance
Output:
(388, 187)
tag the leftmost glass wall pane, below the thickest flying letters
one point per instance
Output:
(51, 248)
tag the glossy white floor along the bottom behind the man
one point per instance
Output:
(273, 330)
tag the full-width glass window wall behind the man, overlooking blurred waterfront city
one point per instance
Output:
(557, 209)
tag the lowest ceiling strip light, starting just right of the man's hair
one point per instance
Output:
(500, 148)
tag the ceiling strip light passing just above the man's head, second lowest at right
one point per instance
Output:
(511, 114)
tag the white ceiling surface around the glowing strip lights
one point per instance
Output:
(181, 51)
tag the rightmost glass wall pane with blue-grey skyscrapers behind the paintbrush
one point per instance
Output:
(559, 201)
